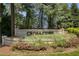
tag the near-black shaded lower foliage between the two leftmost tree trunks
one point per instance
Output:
(6, 25)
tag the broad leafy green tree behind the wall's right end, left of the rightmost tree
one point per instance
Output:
(63, 15)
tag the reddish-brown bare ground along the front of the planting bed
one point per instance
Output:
(6, 50)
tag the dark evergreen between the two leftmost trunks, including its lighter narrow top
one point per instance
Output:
(6, 22)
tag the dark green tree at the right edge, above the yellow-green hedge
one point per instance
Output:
(75, 14)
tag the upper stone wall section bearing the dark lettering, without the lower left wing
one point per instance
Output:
(25, 32)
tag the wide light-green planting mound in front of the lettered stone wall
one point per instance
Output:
(54, 40)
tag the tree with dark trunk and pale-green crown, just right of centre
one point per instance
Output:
(49, 9)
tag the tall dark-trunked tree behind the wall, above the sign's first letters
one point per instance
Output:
(29, 15)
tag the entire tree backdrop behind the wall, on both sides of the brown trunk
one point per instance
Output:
(41, 15)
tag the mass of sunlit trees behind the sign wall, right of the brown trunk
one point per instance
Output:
(55, 13)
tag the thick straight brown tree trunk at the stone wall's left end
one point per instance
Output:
(12, 20)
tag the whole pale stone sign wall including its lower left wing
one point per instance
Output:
(23, 32)
